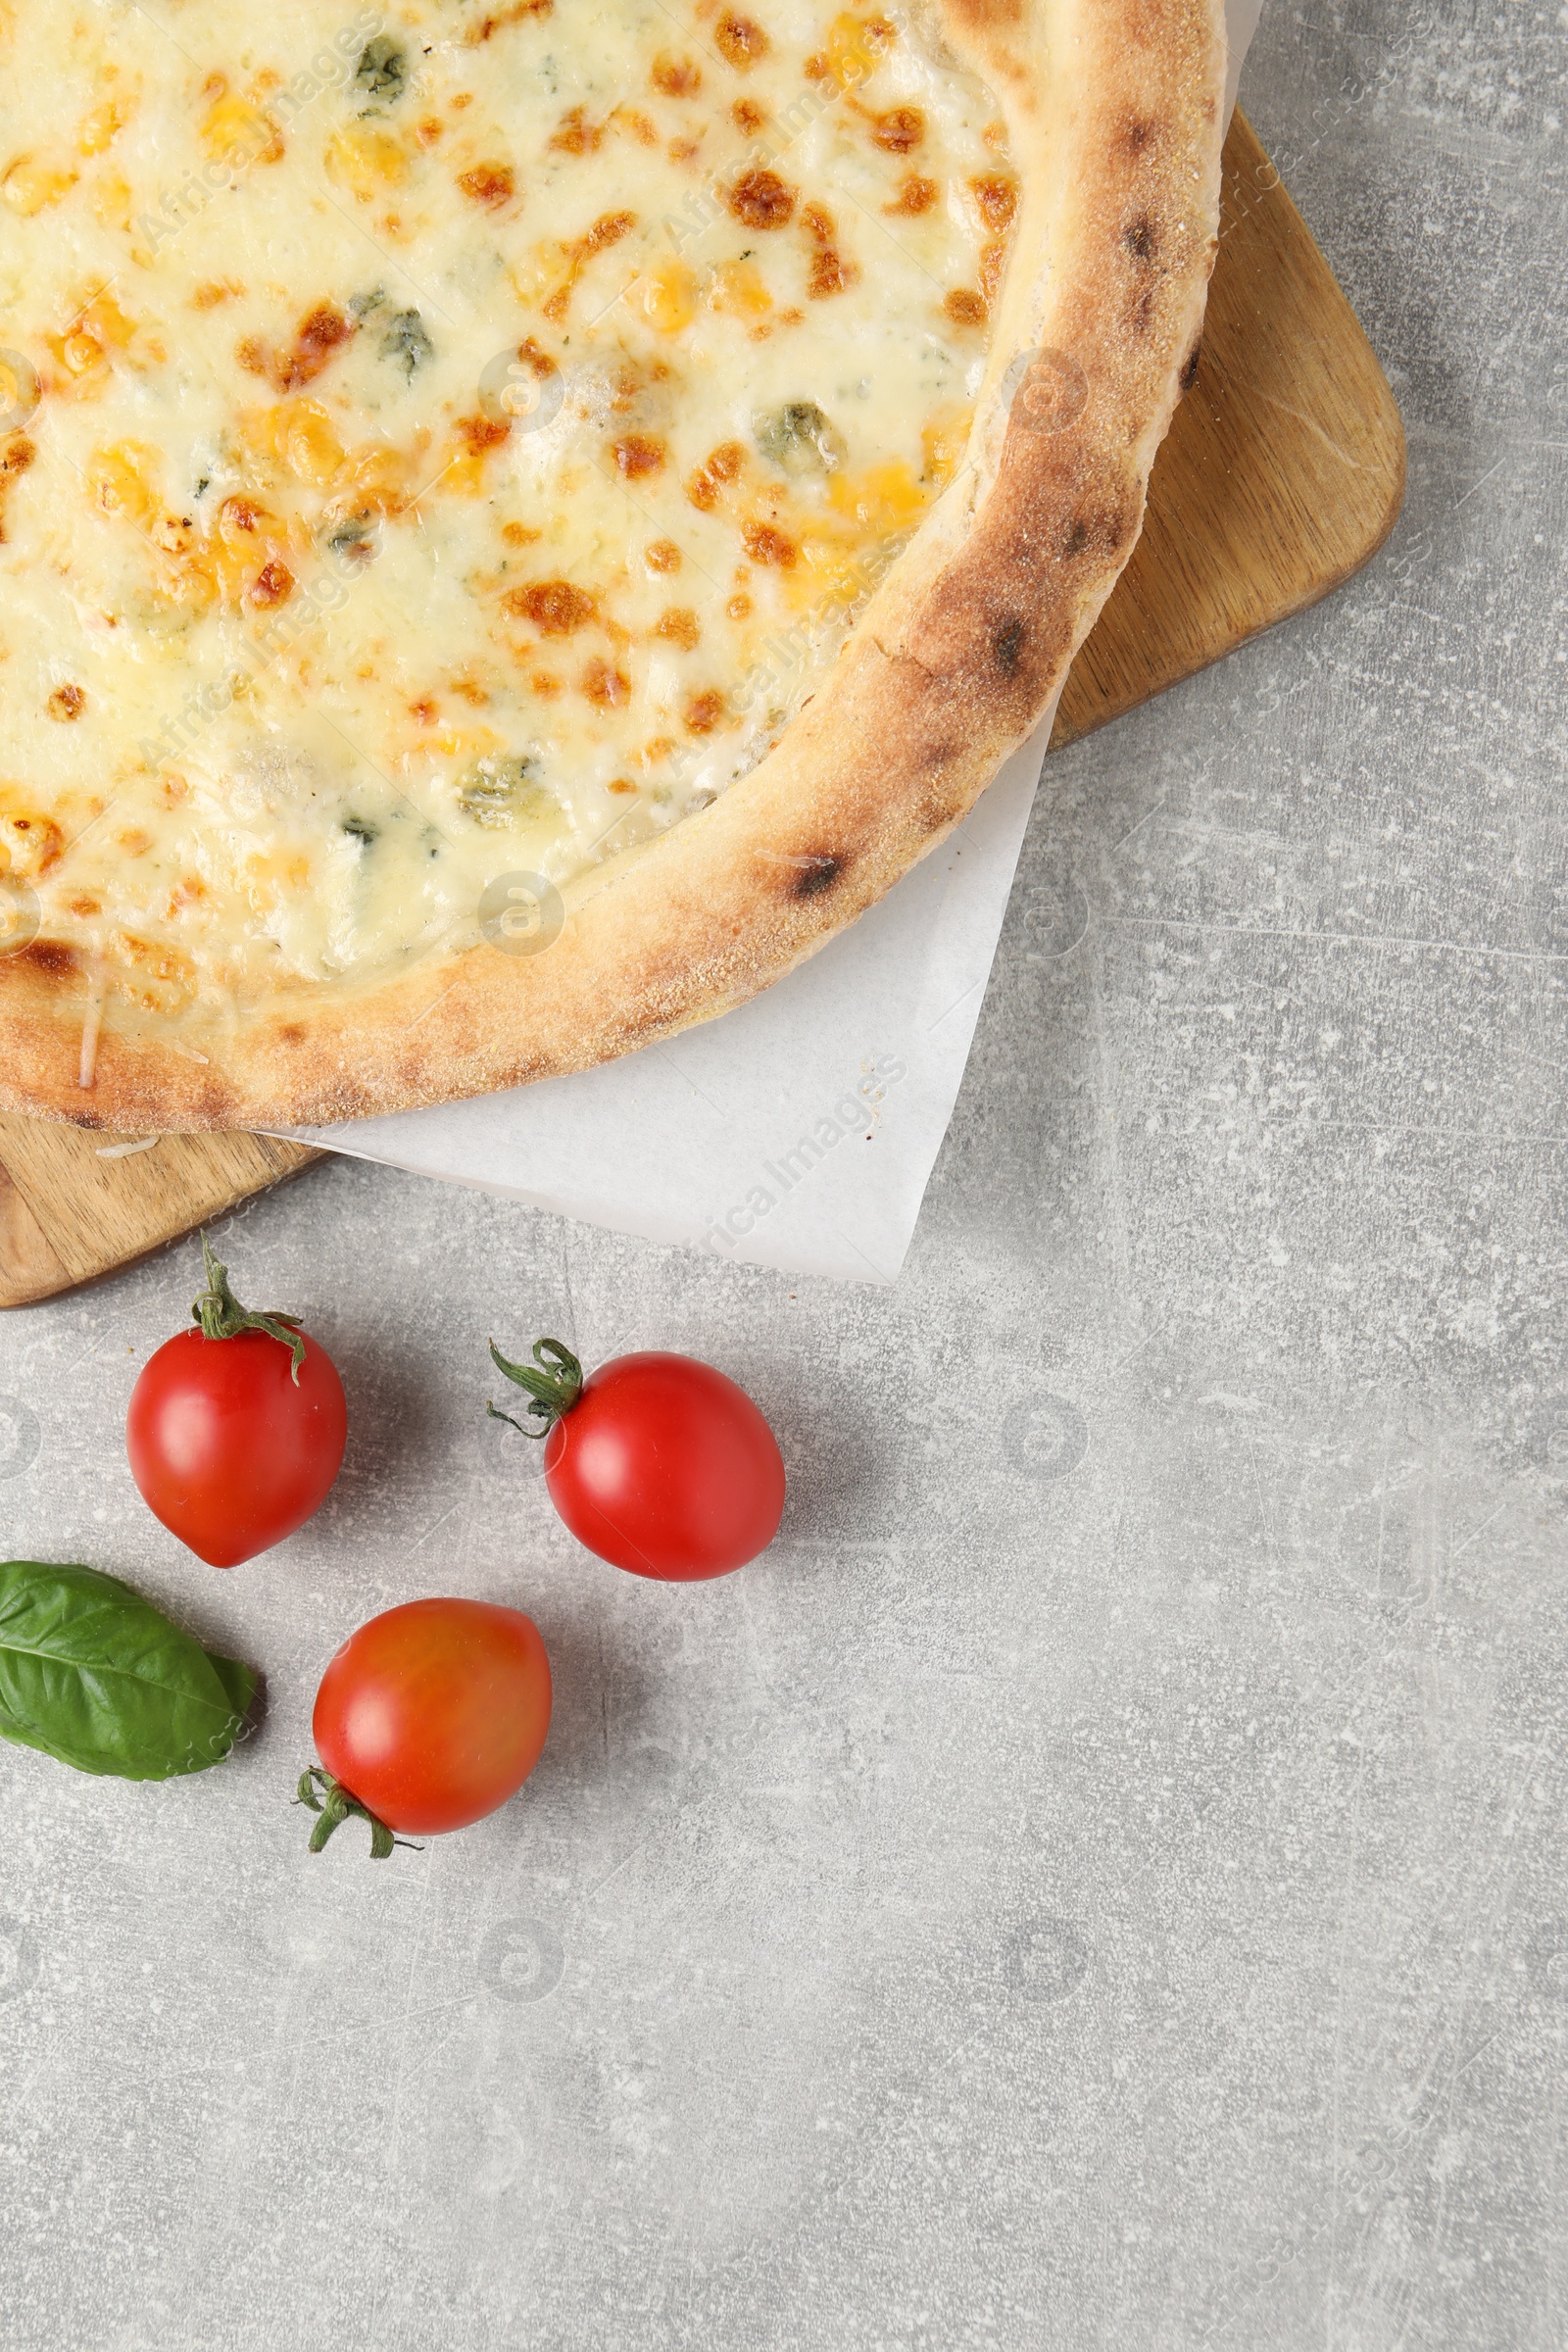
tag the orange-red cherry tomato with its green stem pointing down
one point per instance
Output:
(434, 1713)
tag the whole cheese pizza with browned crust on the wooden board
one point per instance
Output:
(521, 521)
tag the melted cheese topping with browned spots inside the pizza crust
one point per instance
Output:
(443, 443)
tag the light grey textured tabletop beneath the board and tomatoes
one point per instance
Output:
(1104, 1878)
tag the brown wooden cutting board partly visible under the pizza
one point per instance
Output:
(1280, 479)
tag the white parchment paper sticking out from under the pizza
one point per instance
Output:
(800, 1130)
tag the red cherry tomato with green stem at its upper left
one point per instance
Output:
(657, 1462)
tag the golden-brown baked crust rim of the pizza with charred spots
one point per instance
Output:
(1115, 116)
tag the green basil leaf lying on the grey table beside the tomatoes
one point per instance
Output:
(102, 1681)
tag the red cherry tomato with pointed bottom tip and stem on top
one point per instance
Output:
(229, 1450)
